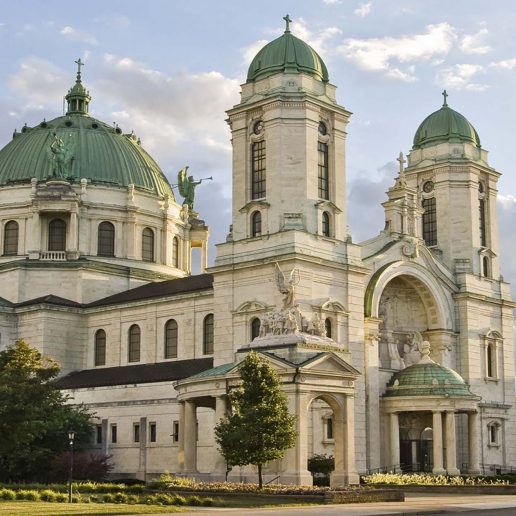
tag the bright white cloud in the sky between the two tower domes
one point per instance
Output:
(378, 54)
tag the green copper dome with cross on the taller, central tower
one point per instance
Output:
(287, 54)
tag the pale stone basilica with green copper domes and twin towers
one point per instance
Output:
(395, 354)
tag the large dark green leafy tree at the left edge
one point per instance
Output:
(34, 415)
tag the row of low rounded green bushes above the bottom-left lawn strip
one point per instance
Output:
(48, 495)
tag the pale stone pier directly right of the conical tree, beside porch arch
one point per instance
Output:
(295, 462)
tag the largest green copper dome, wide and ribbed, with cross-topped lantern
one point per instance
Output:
(80, 147)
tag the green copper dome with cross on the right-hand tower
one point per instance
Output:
(445, 125)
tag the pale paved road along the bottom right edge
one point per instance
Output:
(496, 505)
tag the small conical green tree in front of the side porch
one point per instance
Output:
(259, 428)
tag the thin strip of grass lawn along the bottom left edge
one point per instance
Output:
(23, 508)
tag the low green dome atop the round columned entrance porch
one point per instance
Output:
(427, 378)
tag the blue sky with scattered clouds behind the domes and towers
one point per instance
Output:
(169, 70)
